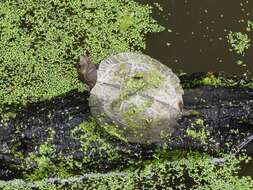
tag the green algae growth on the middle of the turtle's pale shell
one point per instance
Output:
(133, 112)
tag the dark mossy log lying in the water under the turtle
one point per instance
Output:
(60, 135)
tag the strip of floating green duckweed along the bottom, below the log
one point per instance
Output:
(185, 170)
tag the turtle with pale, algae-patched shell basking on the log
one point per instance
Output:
(133, 96)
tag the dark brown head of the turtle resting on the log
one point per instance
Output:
(87, 71)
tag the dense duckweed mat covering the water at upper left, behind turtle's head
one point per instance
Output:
(41, 42)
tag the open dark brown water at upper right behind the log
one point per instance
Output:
(198, 39)
